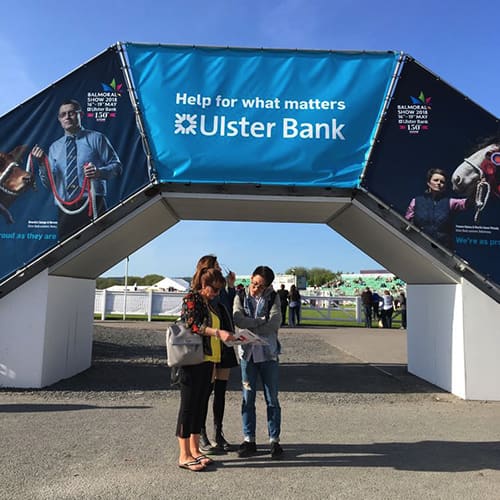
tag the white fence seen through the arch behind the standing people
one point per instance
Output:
(152, 303)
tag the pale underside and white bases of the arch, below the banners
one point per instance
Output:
(449, 340)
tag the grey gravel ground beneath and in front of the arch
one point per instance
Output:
(351, 430)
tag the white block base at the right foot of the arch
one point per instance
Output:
(454, 339)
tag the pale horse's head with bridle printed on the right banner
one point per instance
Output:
(478, 177)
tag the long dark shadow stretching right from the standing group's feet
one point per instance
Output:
(428, 456)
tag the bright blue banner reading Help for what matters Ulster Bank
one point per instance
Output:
(222, 115)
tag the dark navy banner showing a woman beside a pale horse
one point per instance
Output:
(438, 164)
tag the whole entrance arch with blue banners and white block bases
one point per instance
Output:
(206, 133)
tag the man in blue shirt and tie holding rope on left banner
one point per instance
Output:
(77, 169)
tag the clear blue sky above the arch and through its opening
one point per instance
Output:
(42, 41)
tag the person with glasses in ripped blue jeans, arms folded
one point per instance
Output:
(259, 310)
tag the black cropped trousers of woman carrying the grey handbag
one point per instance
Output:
(195, 384)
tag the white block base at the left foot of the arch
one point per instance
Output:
(46, 328)
